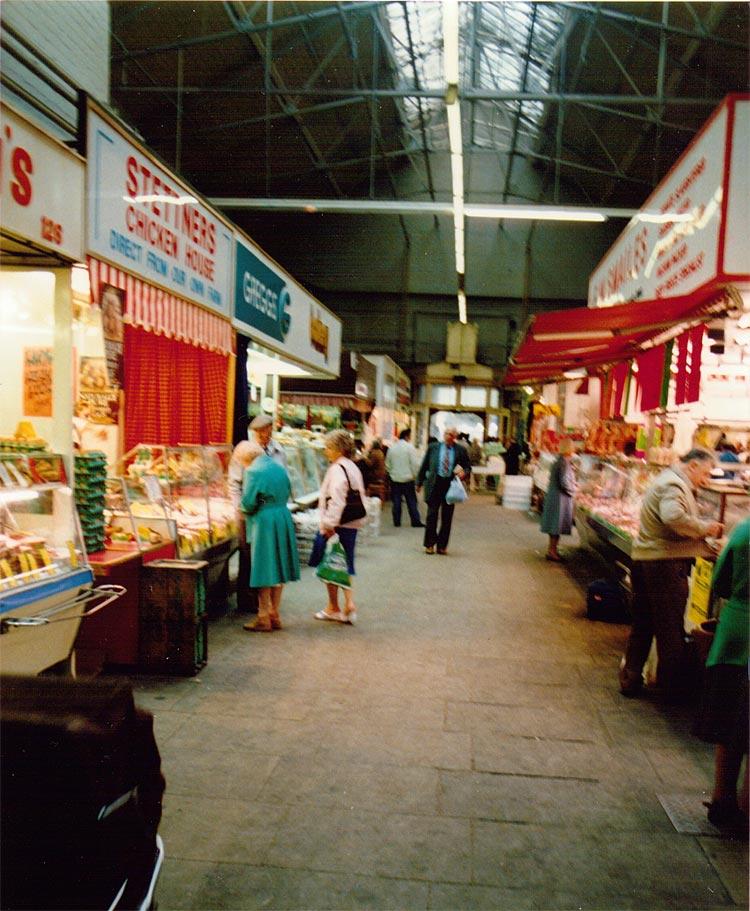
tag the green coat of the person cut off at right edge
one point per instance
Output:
(731, 580)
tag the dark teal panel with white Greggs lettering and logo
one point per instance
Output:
(261, 298)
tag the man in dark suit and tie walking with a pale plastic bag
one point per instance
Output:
(441, 463)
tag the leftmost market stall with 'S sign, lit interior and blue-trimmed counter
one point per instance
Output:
(46, 582)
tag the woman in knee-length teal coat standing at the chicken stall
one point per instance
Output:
(270, 534)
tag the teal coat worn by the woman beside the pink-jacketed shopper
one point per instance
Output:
(270, 530)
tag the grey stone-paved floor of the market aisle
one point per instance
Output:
(464, 746)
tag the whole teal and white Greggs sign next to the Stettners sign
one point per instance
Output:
(273, 309)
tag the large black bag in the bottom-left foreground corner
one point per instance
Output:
(81, 795)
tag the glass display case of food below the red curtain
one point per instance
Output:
(184, 484)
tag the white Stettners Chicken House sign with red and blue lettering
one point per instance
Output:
(145, 220)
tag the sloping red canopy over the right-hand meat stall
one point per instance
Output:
(563, 340)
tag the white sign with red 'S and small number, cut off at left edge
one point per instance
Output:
(42, 187)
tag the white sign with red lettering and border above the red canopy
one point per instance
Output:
(691, 231)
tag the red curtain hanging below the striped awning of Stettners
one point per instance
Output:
(174, 392)
